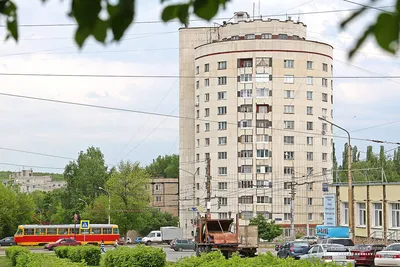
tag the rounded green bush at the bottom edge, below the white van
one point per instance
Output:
(139, 256)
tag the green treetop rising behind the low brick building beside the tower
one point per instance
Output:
(166, 166)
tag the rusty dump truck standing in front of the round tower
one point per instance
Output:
(226, 236)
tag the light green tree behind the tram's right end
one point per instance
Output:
(129, 197)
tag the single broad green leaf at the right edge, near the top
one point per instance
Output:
(386, 31)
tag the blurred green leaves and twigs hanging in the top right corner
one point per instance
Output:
(385, 29)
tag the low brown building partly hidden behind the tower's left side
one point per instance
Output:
(164, 194)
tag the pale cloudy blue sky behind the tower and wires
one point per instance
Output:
(152, 49)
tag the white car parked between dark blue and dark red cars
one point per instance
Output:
(338, 254)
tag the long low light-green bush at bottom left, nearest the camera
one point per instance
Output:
(44, 260)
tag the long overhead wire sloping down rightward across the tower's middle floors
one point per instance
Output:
(177, 116)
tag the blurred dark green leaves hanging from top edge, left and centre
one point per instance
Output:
(98, 17)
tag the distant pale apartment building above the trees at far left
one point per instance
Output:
(28, 182)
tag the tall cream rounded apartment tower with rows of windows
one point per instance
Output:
(251, 93)
